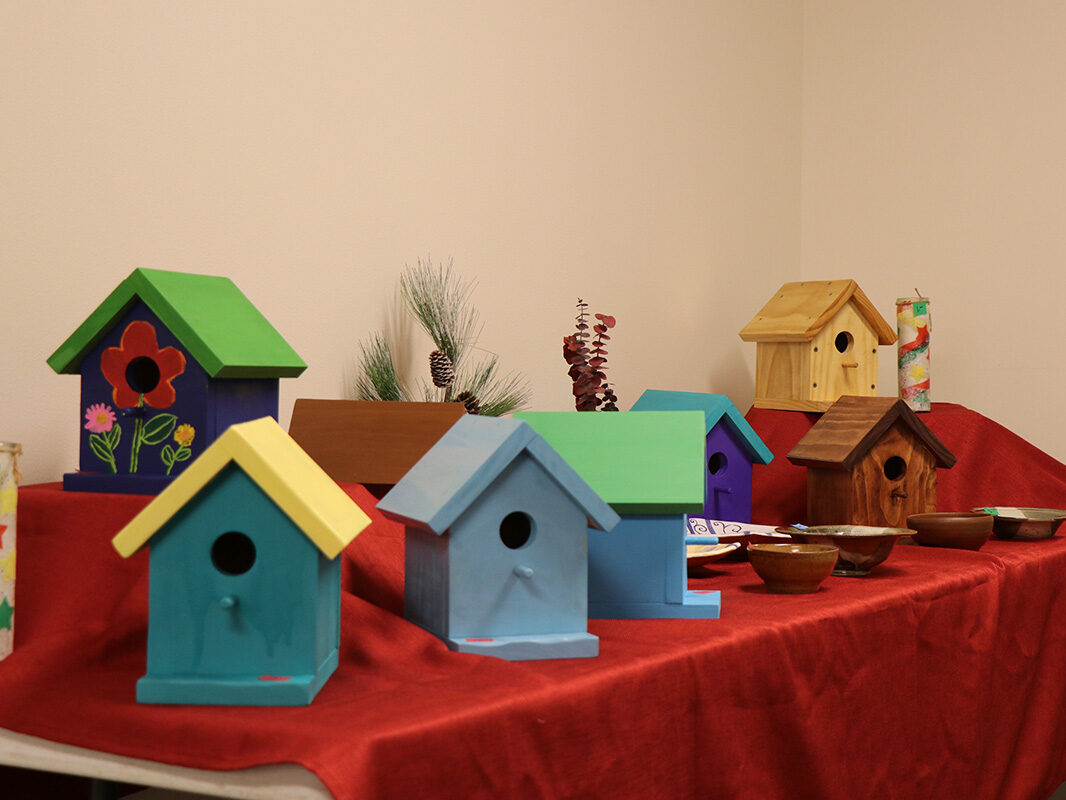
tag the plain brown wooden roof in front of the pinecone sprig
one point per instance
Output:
(369, 442)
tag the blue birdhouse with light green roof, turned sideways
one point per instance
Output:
(650, 468)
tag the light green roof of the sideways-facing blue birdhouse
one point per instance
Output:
(639, 462)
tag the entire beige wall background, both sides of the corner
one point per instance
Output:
(670, 163)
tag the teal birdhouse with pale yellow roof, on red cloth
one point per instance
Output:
(245, 586)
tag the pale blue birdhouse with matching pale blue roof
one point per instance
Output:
(496, 552)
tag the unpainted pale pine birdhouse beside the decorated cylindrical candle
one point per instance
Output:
(816, 341)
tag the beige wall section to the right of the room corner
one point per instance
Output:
(934, 156)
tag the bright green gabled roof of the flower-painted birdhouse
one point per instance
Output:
(220, 327)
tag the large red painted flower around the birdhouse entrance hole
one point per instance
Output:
(139, 371)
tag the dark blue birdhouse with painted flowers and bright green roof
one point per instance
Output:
(168, 362)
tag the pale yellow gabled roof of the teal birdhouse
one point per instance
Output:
(278, 465)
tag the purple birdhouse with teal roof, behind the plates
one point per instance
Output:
(733, 449)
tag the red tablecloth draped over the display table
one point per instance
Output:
(942, 675)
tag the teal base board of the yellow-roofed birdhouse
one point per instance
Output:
(235, 691)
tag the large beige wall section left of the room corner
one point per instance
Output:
(644, 156)
